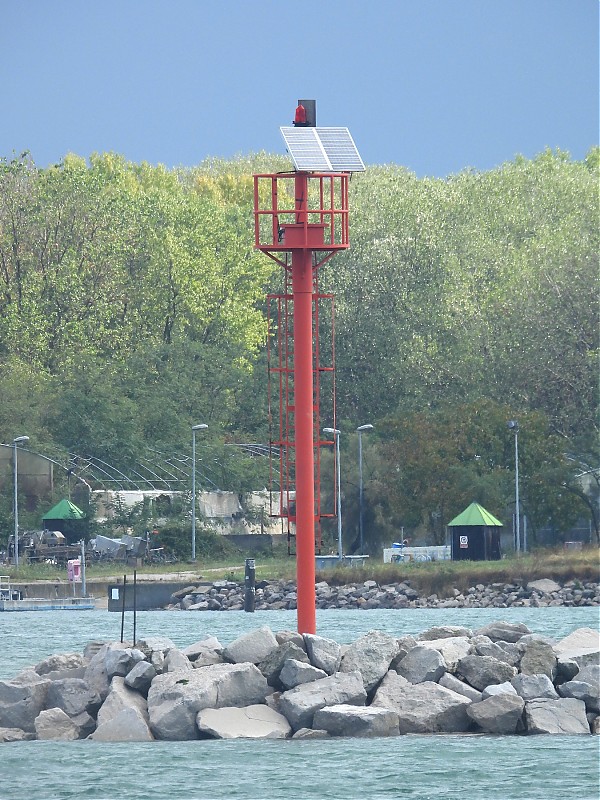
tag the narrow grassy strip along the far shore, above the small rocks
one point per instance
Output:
(427, 578)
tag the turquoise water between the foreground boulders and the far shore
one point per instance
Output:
(27, 637)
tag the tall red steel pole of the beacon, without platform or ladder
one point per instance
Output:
(302, 288)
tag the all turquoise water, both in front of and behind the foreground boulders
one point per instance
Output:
(405, 767)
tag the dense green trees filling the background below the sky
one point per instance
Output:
(132, 306)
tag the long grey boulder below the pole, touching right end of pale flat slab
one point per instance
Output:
(300, 703)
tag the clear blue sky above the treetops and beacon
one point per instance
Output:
(434, 85)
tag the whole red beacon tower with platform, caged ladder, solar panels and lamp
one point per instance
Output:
(301, 221)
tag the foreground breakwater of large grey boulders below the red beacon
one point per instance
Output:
(499, 679)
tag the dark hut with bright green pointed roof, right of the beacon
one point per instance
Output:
(475, 535)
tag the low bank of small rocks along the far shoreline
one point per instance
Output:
(229, 596)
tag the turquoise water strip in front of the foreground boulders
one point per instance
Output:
(406, 767)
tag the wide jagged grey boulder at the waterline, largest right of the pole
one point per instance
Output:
(425, 707)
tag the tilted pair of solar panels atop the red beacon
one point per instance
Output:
(322, 149)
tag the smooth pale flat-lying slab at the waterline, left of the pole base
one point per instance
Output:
(252, 722)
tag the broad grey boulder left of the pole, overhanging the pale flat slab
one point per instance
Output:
(175, 698)
